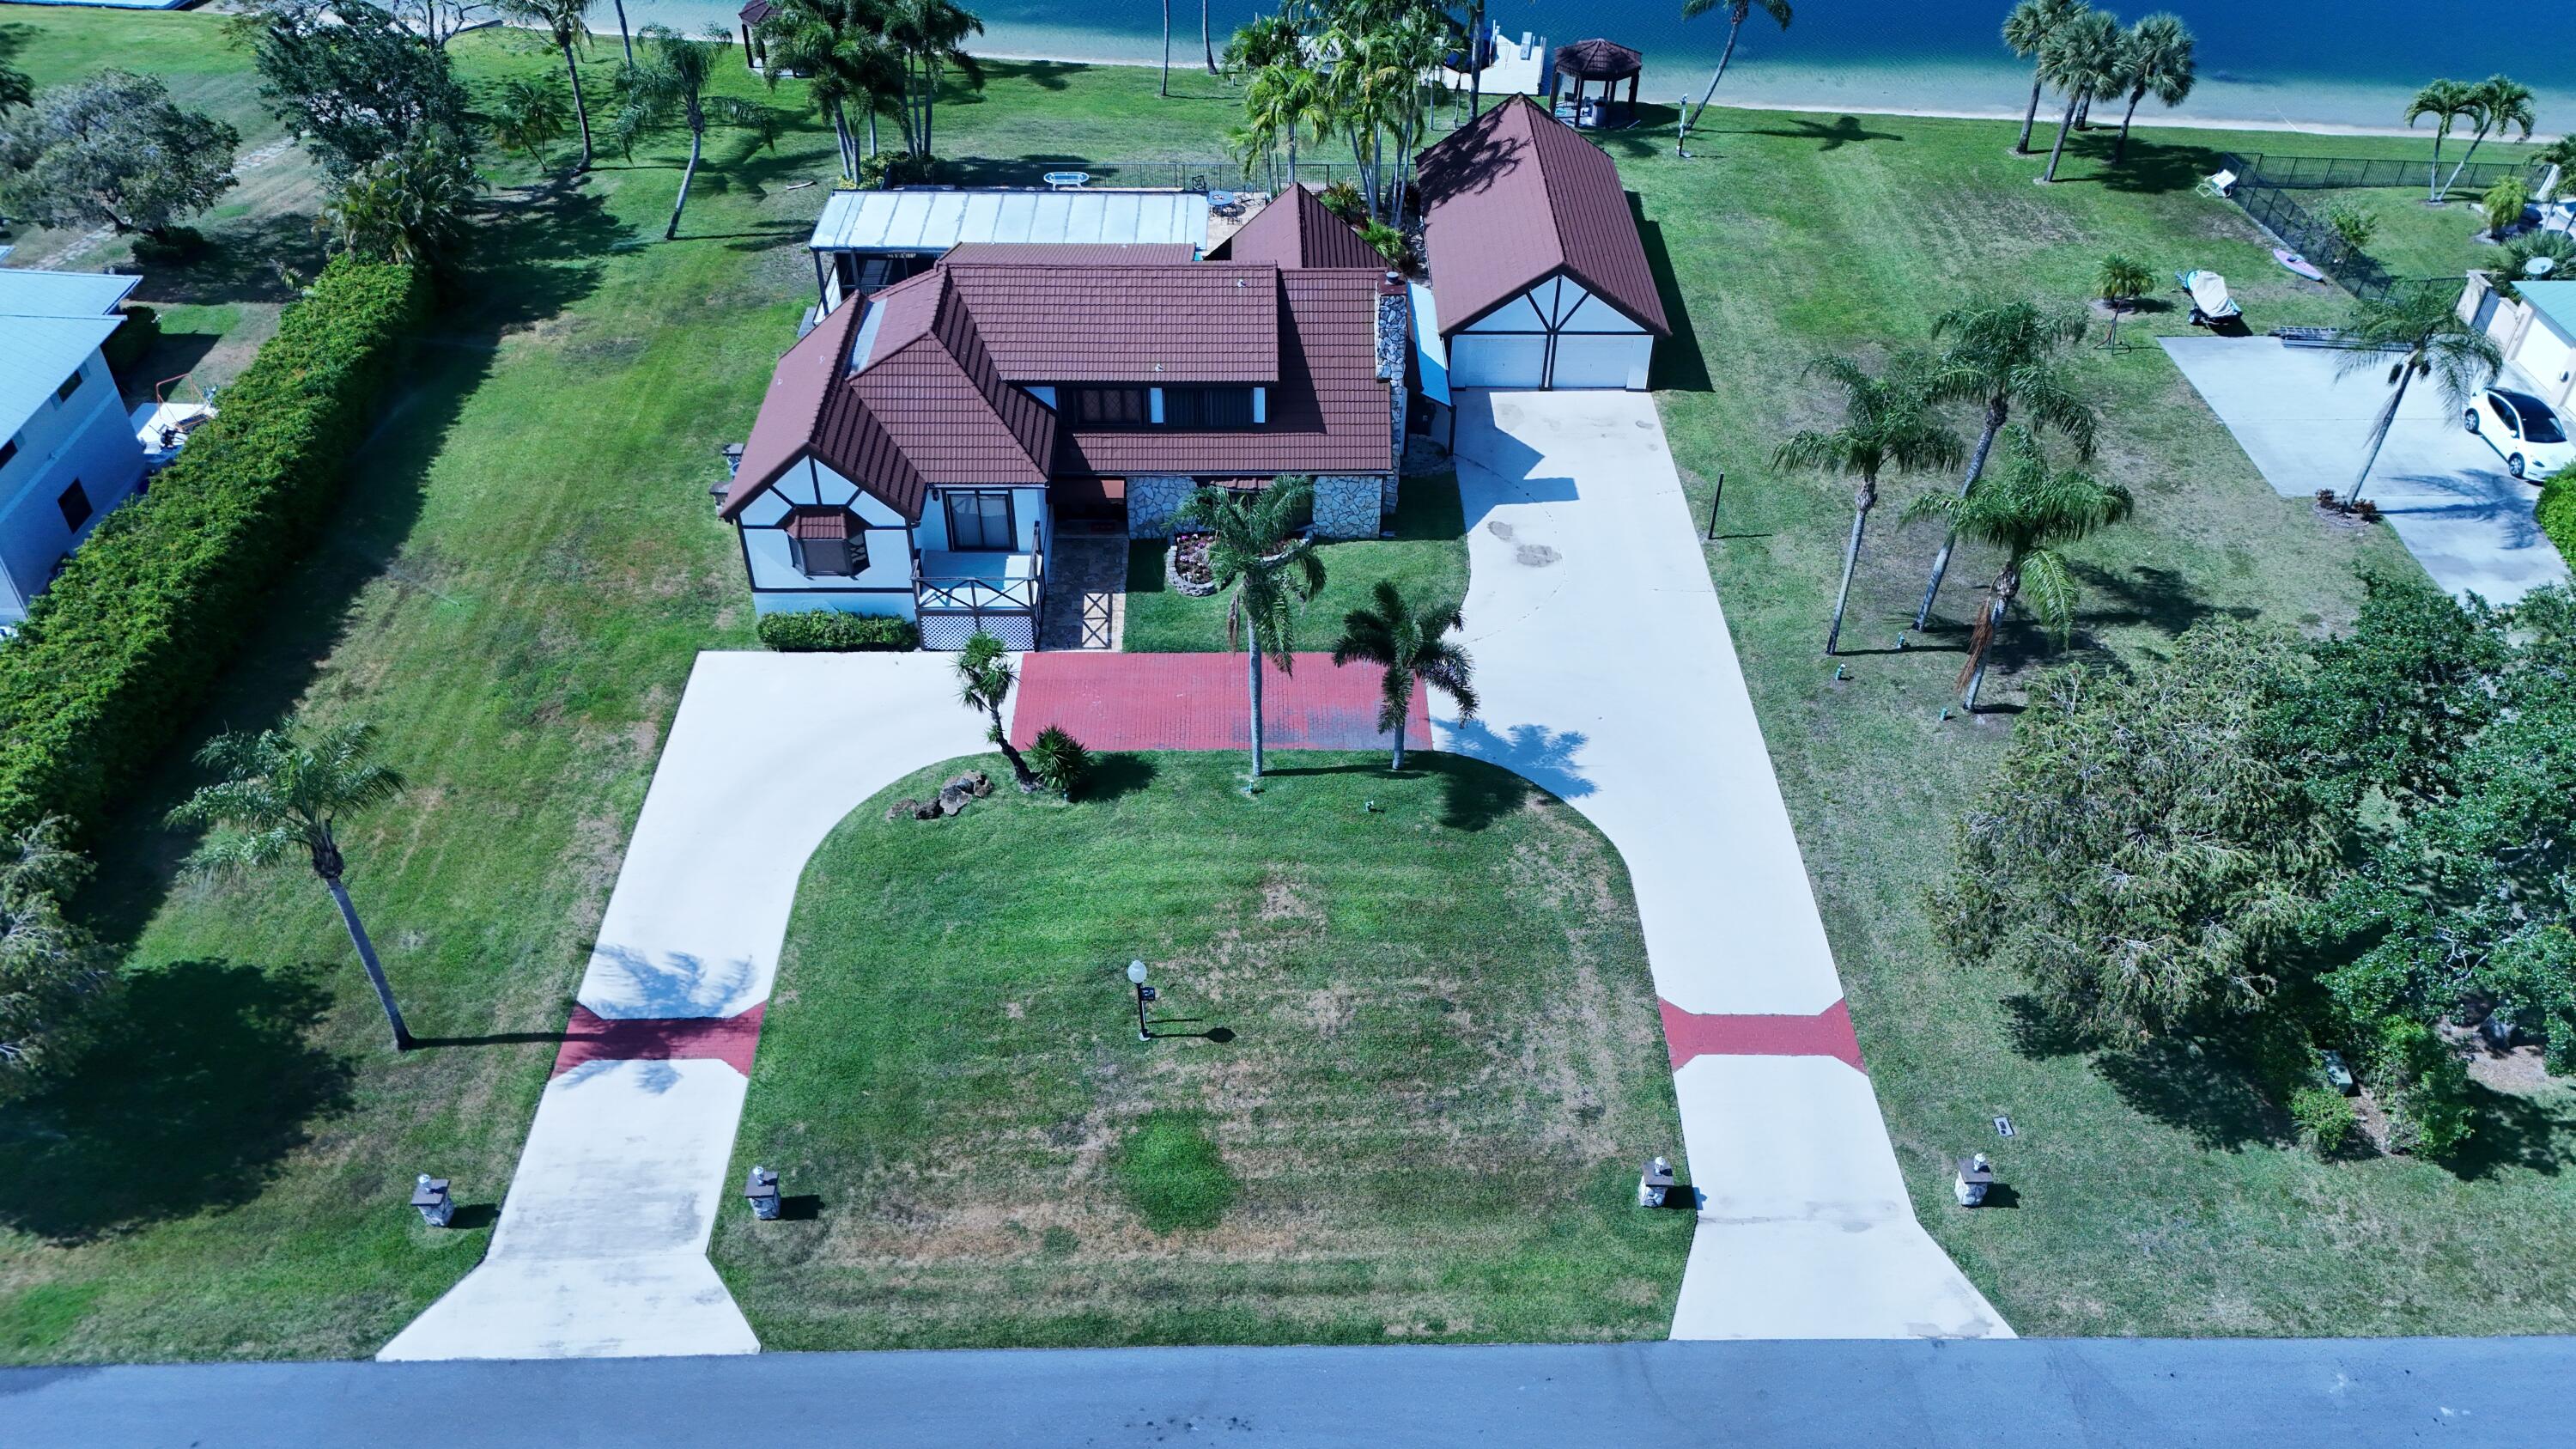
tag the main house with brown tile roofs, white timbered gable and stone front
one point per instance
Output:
(921, 447)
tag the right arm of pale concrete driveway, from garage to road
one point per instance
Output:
(1609, 677)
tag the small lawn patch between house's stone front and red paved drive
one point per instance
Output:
(1426, 561)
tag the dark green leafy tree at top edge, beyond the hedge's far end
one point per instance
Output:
(352, 81)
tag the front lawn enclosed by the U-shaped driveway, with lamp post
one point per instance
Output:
(1410, 1064)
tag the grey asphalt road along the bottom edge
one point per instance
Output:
(1820, 1394)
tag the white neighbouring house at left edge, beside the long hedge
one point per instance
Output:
(66, 447)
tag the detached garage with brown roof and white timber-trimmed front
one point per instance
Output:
(1539, 277)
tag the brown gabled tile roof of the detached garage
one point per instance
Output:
(1516, 197)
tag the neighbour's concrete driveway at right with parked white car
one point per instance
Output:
(2448, 496)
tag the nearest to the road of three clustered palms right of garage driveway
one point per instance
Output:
(2029, 512)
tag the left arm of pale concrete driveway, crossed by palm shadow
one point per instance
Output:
(601, 1241)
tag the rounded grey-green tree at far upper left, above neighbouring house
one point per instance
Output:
(112, 151)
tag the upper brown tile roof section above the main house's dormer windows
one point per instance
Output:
(1127, 324)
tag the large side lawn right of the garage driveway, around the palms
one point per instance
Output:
(2155, 1195)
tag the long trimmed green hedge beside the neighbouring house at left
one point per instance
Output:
(120, 651)
